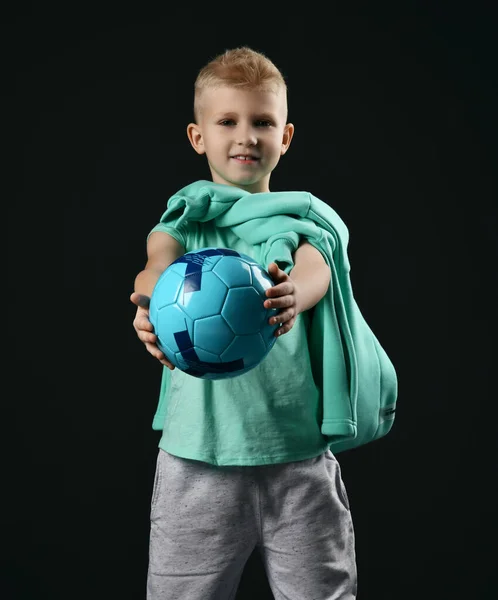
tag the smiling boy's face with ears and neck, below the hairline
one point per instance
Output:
(237, 122)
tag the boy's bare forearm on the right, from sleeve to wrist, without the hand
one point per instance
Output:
(311, 275)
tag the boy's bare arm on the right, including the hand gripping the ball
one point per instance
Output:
(299, 291)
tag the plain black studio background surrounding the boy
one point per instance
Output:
(396, 128)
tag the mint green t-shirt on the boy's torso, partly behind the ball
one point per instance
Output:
(271, 414)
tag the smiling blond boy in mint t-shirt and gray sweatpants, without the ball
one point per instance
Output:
(242, 462)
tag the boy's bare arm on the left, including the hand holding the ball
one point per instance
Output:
(162, 250)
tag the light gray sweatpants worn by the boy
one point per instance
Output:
(207, 520)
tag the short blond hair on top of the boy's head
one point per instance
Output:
(241, 68)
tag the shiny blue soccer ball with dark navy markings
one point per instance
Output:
(208, 314)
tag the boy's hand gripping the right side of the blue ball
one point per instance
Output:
(283, 295)
